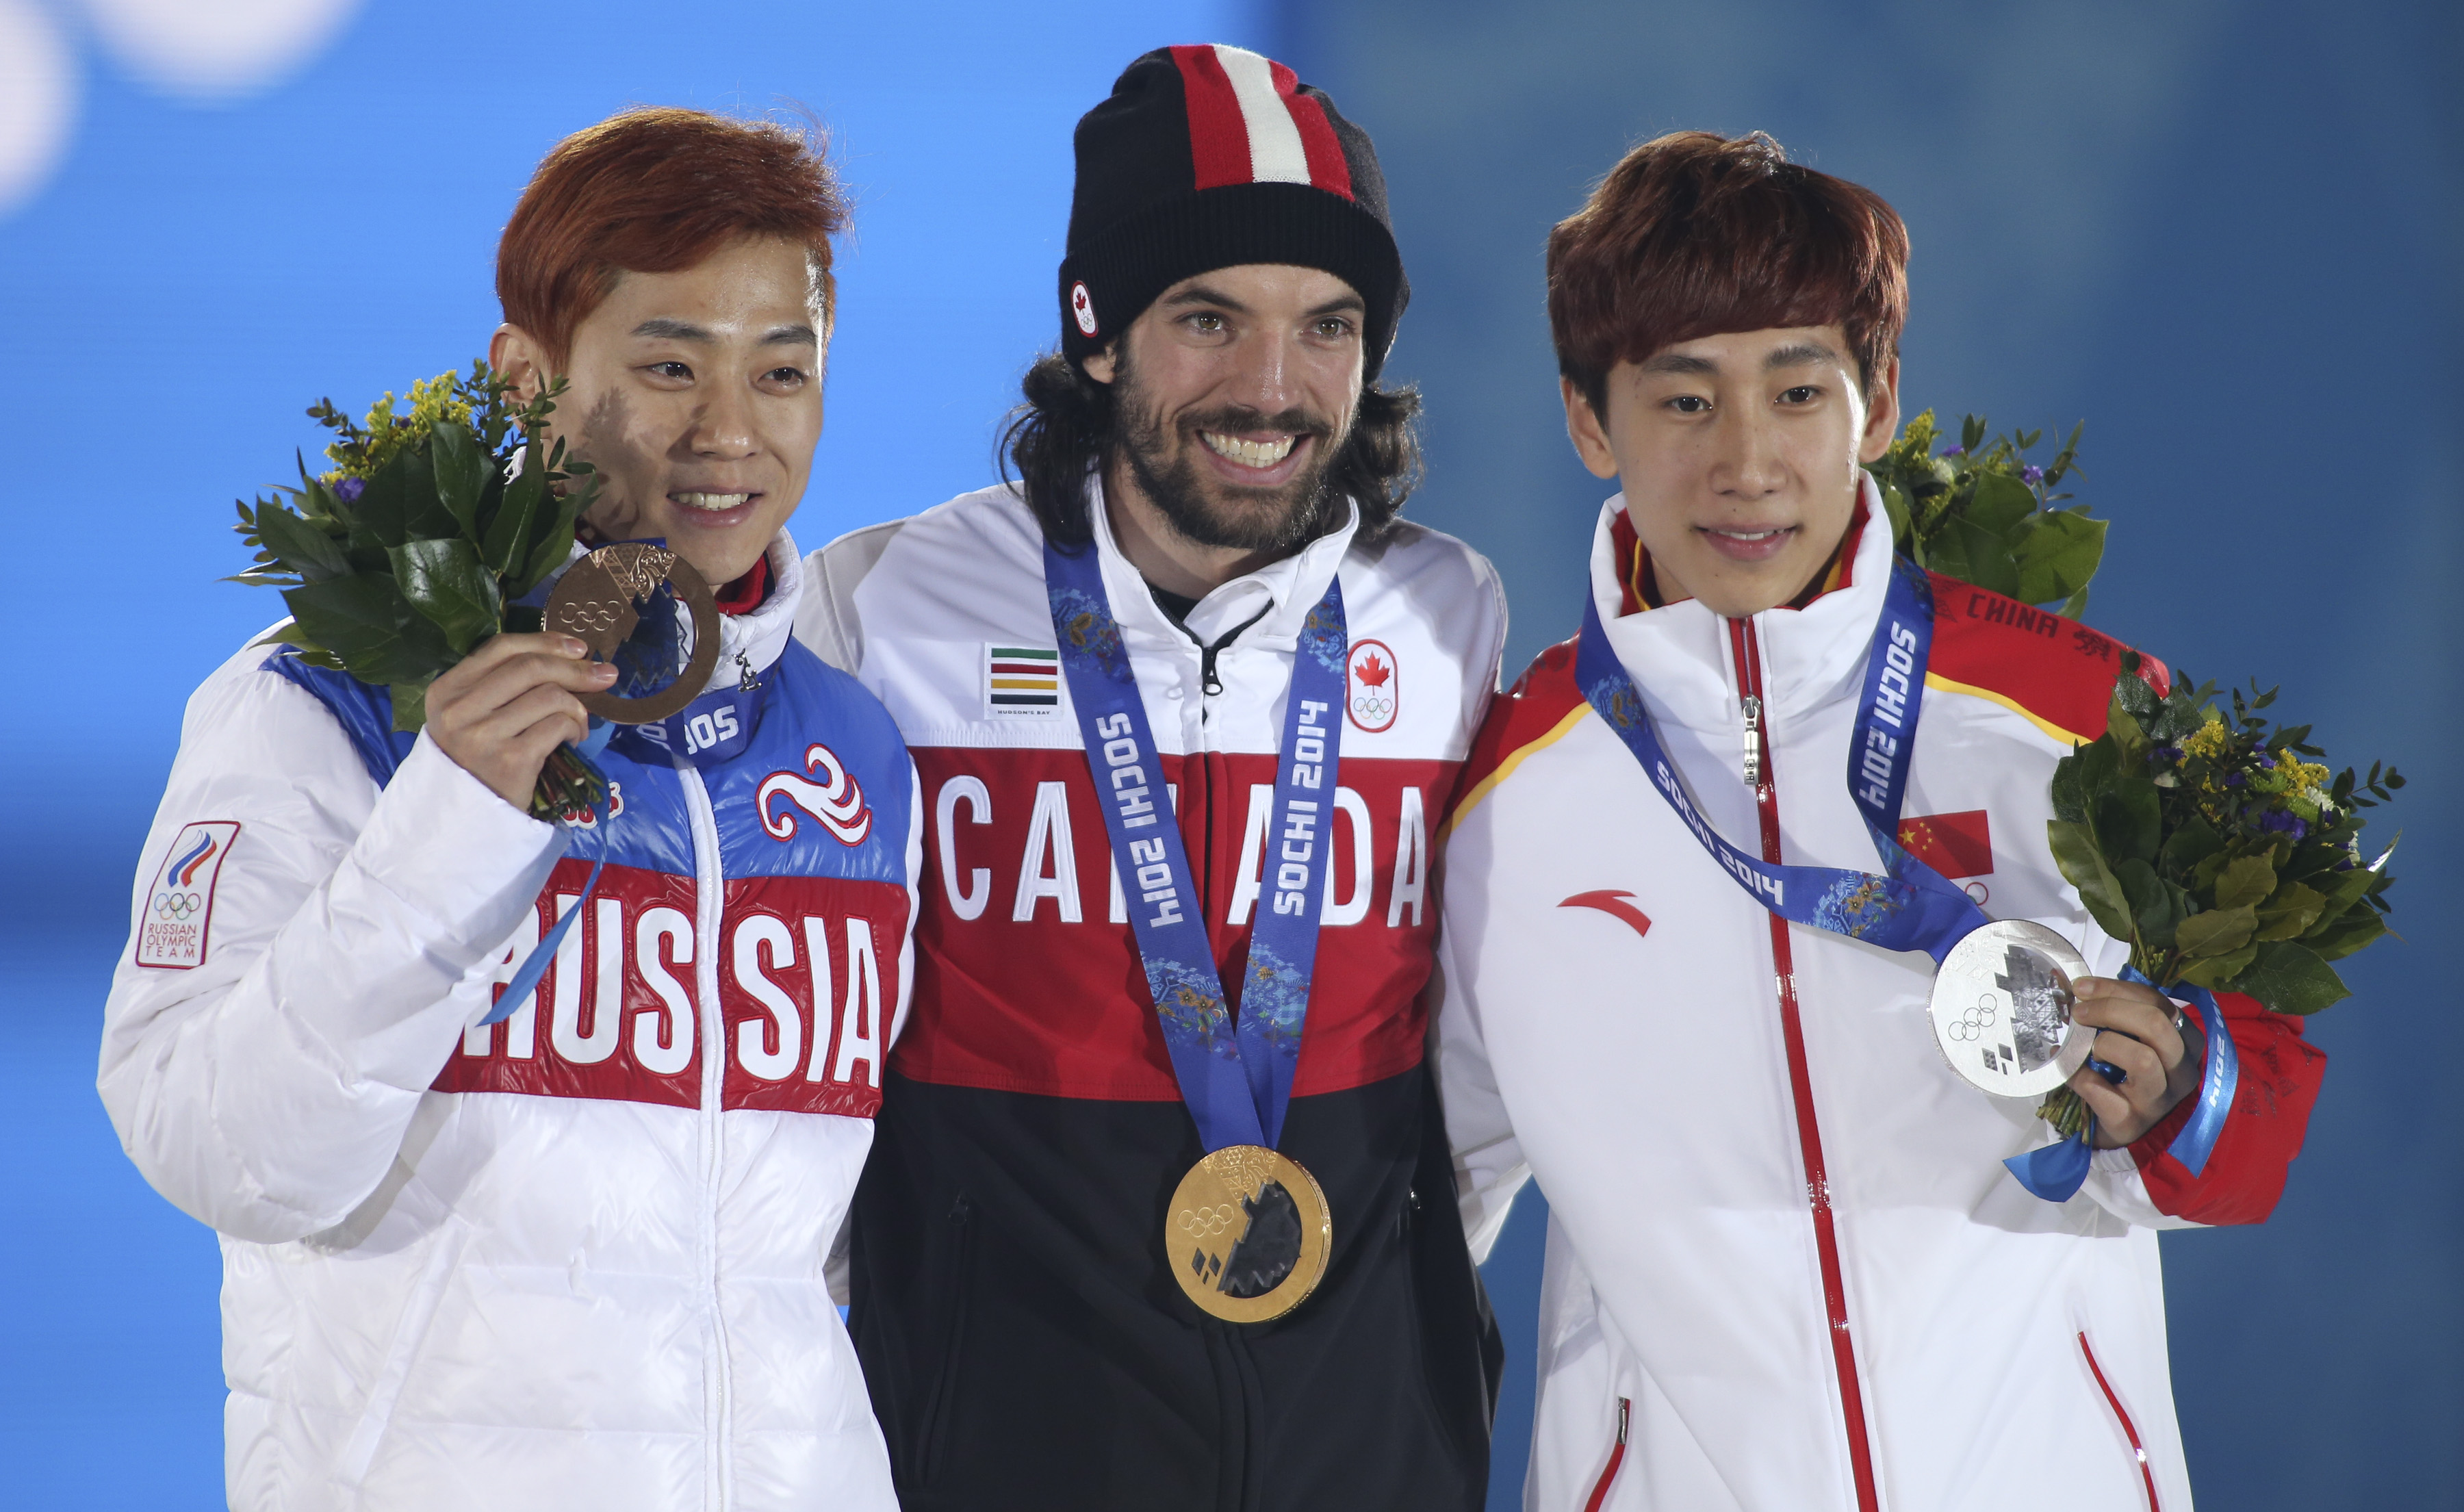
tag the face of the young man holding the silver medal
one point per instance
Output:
(1738, 457)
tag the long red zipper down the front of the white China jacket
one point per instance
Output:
(1758, 770)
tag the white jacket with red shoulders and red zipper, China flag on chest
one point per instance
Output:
(1751, 1205)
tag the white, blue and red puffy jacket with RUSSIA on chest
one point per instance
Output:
(573, 1260)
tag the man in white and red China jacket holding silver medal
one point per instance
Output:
(1785, 1262)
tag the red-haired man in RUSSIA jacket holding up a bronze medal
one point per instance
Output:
(565, 1255)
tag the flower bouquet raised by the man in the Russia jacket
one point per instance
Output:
(420, 541)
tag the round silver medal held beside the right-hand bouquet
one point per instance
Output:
(2002, 1011)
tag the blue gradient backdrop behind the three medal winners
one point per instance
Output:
(2226, 235)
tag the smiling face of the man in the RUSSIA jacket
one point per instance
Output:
(696, 395)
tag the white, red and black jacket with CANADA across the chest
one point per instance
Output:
(1021, 1336)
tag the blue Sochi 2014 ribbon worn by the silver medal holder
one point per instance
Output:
(1908, 907)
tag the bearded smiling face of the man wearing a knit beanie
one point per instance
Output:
(1233, 393)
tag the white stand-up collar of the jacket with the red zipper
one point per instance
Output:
(1682, 659)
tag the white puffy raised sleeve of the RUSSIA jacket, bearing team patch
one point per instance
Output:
(351, 937)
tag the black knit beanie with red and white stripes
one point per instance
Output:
(1209, 159)
